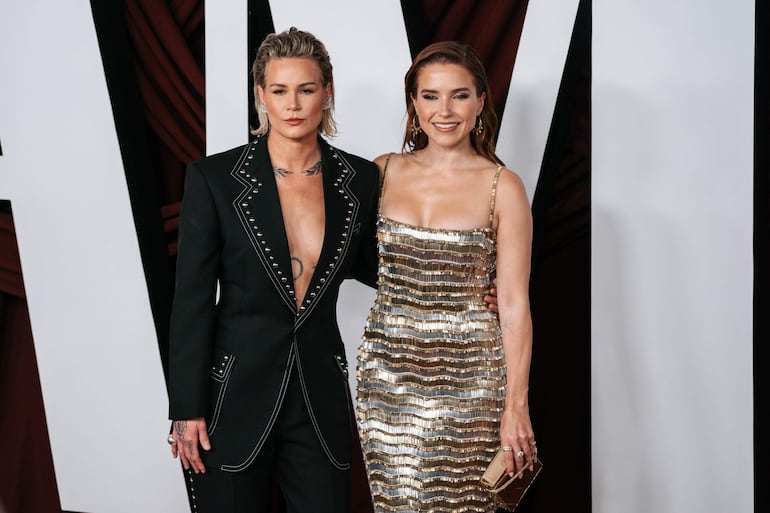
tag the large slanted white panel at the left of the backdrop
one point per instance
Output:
(97, 352)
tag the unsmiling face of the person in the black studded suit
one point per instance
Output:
(294, 95)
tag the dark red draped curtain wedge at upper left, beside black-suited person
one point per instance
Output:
(167, 41)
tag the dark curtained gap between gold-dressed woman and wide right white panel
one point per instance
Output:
(560, 397)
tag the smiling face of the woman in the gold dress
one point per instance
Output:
(446, 103)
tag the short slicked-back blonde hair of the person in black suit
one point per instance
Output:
(288, 44)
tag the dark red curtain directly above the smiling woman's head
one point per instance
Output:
(491, 27)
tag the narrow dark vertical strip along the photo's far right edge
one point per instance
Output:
(761, 257)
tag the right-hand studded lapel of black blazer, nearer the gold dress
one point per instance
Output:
(341, 213)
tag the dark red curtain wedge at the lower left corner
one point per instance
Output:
(27, 480)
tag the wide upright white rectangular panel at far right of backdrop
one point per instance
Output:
(672, 256)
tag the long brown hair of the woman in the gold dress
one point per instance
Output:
(453, 52)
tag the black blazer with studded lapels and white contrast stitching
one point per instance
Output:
(230, 358)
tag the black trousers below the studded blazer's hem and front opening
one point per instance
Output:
(293, 455)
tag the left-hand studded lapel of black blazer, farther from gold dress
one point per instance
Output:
(259, 210)
